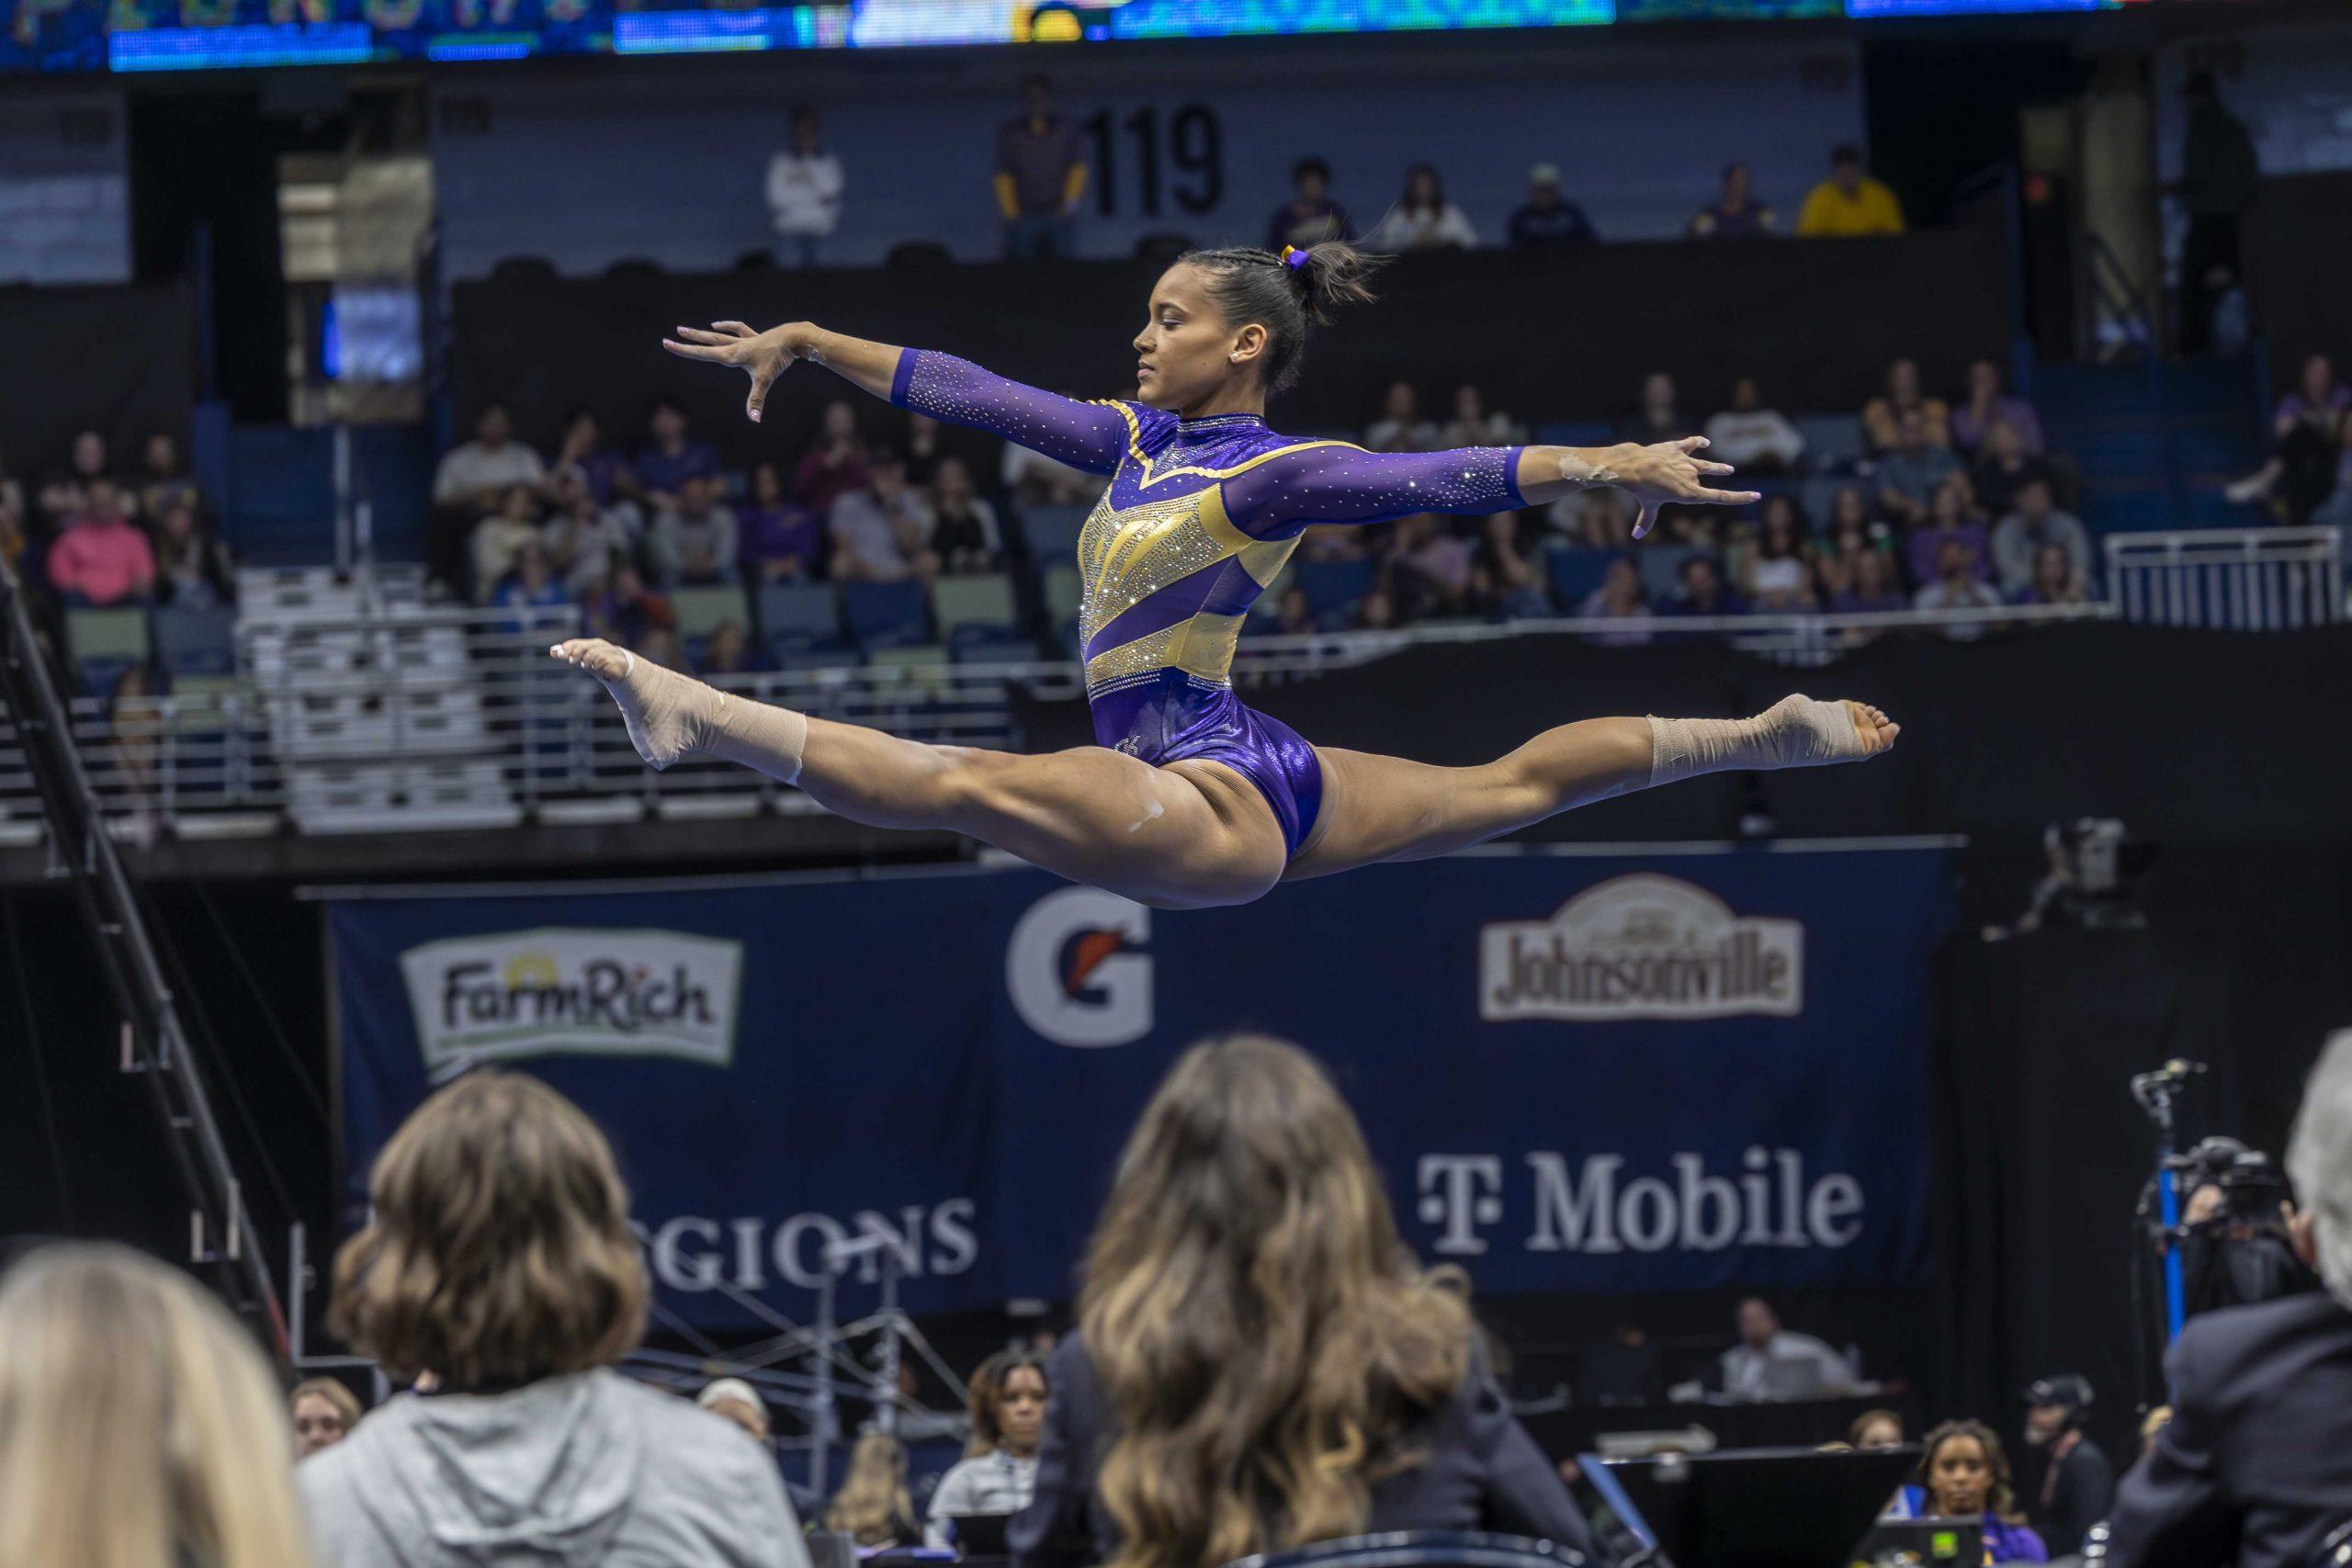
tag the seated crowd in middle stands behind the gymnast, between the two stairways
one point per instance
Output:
(1911, 502)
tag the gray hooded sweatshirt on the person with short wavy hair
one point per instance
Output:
(563, 1473)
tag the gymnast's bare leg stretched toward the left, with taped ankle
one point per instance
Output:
(1180, 836)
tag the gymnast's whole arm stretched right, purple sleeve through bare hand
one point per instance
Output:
(1339, 483)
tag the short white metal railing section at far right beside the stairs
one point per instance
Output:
(2233, 579)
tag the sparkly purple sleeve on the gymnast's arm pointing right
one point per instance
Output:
(1339, 483)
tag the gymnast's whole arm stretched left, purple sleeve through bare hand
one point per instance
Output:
(1090, 436)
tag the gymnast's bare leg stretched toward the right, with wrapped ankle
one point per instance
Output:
(1394, 810)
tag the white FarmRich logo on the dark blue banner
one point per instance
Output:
(573, 991)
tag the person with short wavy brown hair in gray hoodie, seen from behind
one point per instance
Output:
(500, 1259)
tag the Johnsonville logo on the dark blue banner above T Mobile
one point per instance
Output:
(1643, 949)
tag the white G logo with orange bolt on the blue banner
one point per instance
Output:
(1076, 970)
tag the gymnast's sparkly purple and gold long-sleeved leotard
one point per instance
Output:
(1198, 521)
